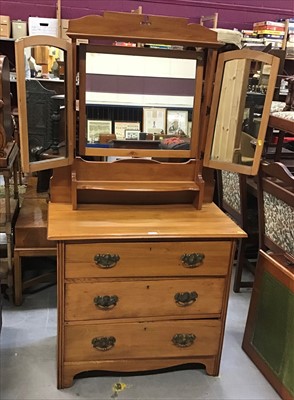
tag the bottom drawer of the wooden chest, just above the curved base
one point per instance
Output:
(140, 340)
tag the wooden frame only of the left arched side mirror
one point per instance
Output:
(20, 45)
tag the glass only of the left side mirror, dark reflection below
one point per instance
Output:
(45, 102)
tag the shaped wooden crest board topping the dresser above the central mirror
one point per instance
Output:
(143, 28)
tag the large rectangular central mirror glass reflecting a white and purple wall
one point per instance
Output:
(135, 101)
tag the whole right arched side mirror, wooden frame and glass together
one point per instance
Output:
(241, 104)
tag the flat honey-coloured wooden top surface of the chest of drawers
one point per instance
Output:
(139, 222)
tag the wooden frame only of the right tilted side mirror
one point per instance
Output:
(245, 54)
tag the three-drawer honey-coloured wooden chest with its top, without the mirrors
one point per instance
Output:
(131, 299)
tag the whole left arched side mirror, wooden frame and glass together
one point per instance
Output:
(45, 96)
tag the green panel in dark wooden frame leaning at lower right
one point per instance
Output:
(268, 337)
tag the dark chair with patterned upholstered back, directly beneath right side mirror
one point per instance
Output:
(236, 200)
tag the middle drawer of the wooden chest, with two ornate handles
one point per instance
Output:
(170, 297)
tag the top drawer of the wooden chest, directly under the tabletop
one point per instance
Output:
(147, 259)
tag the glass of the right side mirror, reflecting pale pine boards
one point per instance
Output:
(239, 113)
